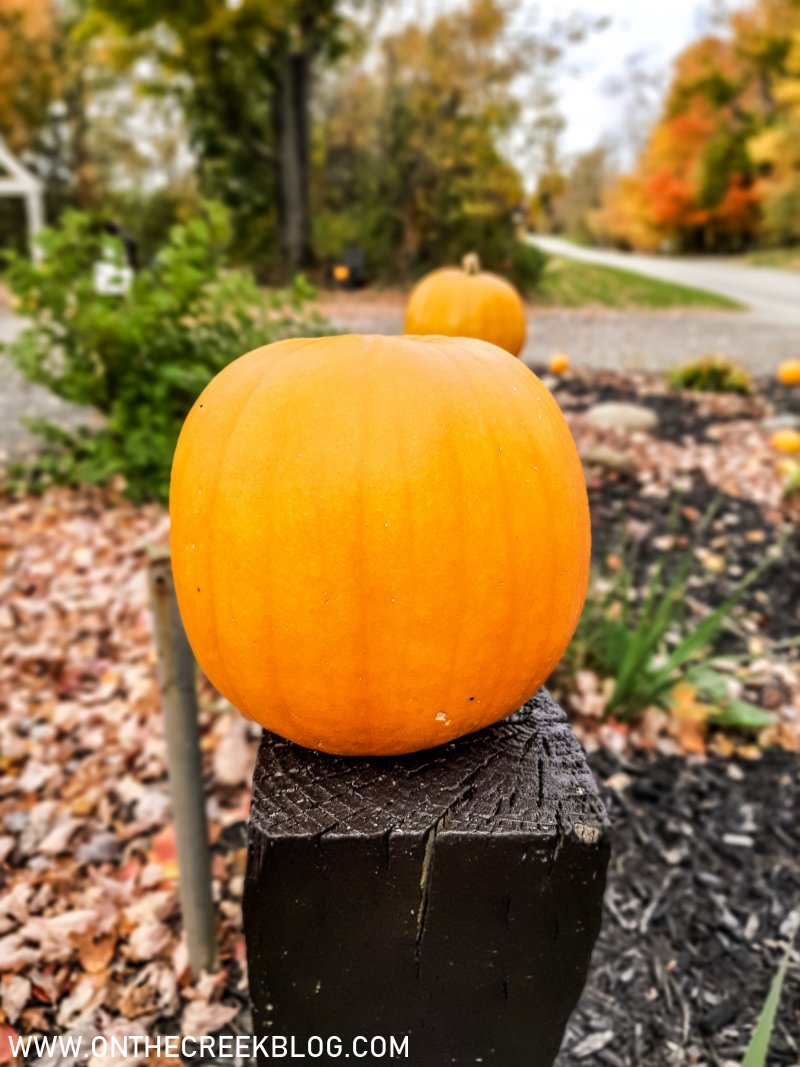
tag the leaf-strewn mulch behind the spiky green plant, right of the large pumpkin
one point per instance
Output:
(706, 485)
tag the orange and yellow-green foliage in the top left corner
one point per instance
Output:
(72, 117)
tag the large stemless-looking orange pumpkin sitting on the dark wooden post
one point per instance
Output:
(379, 544)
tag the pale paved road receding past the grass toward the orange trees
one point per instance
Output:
(773, 296)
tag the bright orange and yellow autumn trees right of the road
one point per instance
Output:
(722, 166)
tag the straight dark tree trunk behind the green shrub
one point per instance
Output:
(292, 140)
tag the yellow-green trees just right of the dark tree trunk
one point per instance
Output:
(407, 153)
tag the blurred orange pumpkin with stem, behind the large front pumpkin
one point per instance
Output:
(468, 304)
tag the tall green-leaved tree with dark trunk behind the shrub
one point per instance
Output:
(244, 75)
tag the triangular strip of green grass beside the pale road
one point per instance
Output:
(569, 283)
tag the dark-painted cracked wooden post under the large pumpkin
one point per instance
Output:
(453, 896)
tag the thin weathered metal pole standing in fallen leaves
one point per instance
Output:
(180, 705)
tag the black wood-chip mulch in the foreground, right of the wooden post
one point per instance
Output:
(703, 883)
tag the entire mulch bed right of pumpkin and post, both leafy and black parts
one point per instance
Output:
(706, 871)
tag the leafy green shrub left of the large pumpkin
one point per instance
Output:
(141, 359)
